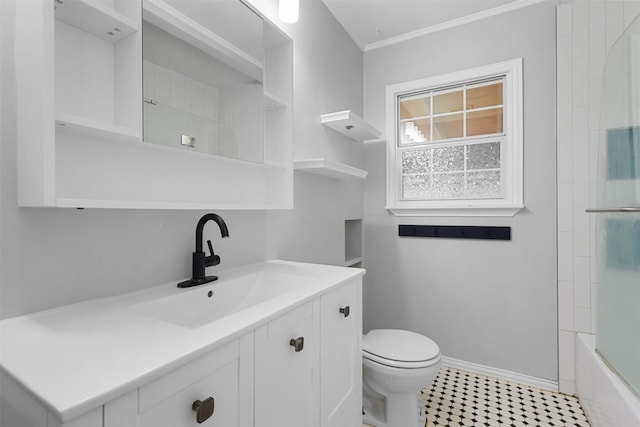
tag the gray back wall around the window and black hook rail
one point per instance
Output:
(486, 302)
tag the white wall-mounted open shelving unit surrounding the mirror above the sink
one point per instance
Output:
(80, 127)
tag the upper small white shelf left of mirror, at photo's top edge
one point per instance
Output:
(95, 18)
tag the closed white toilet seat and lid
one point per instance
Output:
(400, 349)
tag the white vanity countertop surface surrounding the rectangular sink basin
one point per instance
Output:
(75, 358)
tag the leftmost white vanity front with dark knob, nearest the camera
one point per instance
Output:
(169, 400)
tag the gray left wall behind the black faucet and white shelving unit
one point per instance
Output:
(52, 257)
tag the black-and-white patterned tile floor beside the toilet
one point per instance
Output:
(460, 398)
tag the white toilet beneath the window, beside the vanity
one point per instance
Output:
(397, 365)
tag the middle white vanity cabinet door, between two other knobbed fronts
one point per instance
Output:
(284, 384)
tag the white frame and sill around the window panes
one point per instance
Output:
(511, 149)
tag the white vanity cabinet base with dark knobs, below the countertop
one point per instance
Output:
(297, 367)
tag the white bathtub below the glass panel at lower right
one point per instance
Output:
(606, 400)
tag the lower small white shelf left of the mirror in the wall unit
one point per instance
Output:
(95, 128)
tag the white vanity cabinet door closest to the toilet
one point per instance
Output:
(341, 360)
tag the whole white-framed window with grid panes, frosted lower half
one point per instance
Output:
(455, 143)
